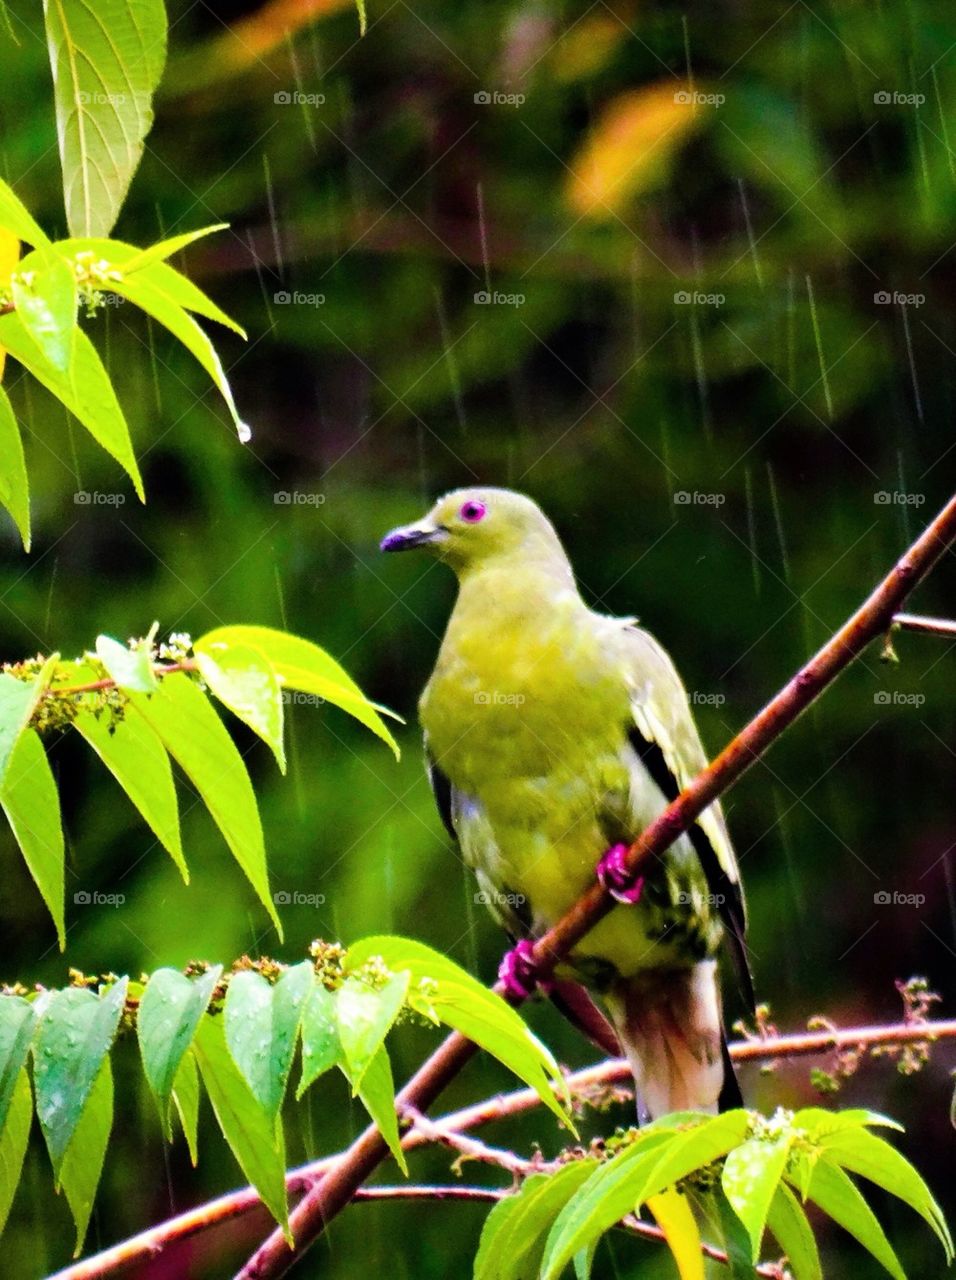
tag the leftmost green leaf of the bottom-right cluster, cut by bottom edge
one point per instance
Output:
(513, 1240)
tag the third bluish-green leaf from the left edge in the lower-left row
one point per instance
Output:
(170, 1013)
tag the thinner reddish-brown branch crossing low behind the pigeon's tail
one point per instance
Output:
(582, 1085)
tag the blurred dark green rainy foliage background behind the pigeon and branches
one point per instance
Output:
(737, 469)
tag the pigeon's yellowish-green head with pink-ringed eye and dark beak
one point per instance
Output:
(474, 528)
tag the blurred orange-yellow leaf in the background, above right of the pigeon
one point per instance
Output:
(632, 147)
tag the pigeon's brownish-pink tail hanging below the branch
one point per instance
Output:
(671, 1031)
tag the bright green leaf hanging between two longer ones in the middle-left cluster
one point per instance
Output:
(138, 760)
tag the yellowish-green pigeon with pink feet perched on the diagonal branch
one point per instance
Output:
(555, 735)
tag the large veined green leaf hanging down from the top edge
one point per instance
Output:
(107, 62)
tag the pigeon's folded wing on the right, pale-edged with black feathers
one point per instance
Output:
(666, 738)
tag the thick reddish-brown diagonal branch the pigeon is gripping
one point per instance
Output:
(331, 1196)
